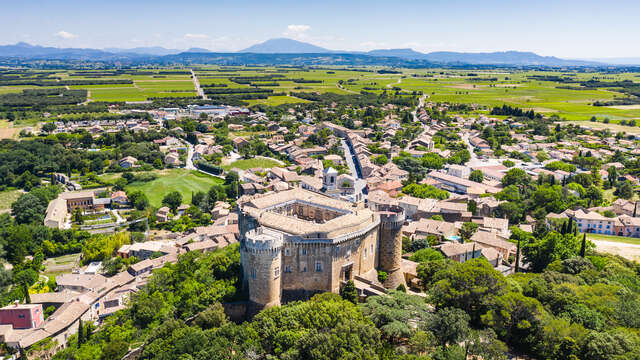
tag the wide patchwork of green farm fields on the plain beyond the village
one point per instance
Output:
(546, 92)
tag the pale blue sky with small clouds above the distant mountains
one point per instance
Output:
(564, 28)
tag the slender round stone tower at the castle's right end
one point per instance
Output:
(390, 250)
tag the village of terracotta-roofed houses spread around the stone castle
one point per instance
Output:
(462, 224)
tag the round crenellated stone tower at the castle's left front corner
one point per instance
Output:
(262, 249)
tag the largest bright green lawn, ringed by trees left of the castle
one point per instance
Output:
(181, 180)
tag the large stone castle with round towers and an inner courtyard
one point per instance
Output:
(297, 243)
